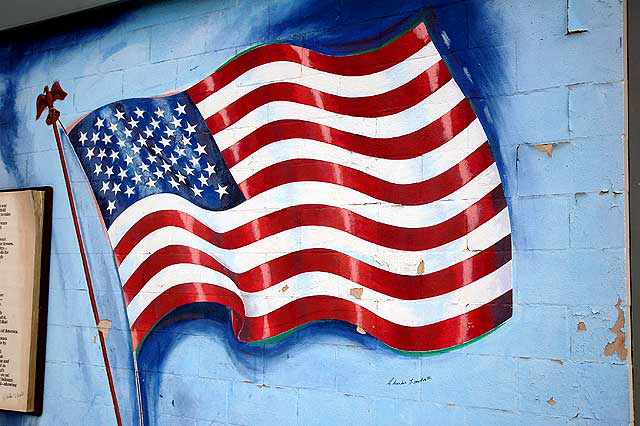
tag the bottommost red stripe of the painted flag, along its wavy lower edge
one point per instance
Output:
(443, 334)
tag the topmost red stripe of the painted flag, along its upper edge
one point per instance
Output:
(360, 64)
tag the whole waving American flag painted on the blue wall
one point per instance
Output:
(293, 186)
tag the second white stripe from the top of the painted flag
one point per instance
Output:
(416, 117)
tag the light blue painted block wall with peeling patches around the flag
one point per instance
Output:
(547, 75)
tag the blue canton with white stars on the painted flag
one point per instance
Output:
(135, 148)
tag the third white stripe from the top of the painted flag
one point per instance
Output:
(412, 170)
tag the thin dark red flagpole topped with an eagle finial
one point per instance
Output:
(46, 101)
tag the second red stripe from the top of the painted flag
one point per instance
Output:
(380, 105)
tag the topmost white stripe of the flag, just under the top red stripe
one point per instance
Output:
(335, 84)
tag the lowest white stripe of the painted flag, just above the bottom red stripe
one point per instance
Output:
(408, 313)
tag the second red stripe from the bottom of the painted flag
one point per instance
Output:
(407, 287)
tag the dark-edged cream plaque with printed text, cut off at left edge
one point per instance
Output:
(25, 242)
